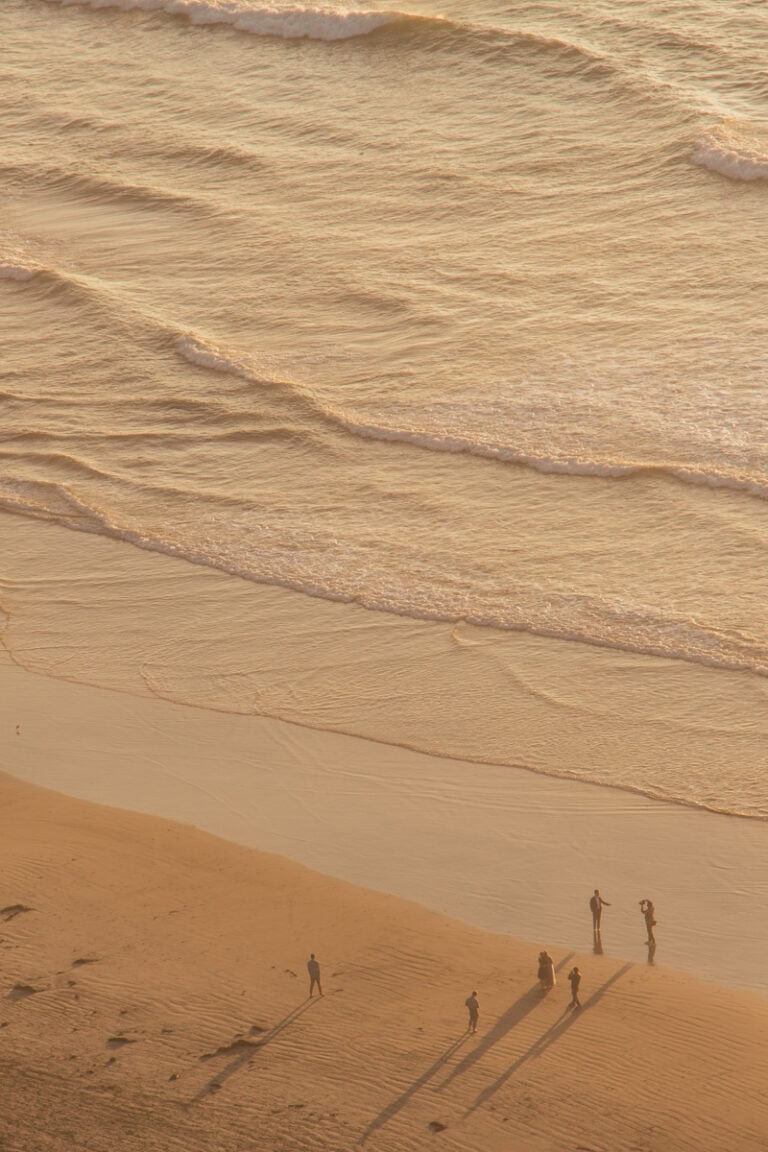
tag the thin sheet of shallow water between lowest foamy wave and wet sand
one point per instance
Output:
(95, 611)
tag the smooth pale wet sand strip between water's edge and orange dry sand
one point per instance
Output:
(501, 850)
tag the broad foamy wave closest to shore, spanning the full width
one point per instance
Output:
(301, 558)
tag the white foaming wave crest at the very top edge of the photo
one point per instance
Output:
(315, 24)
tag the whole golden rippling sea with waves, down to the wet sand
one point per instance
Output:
(431, 342)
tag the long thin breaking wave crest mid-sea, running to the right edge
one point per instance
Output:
(208, 355)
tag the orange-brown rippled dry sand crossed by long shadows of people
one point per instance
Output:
(154, 997)
